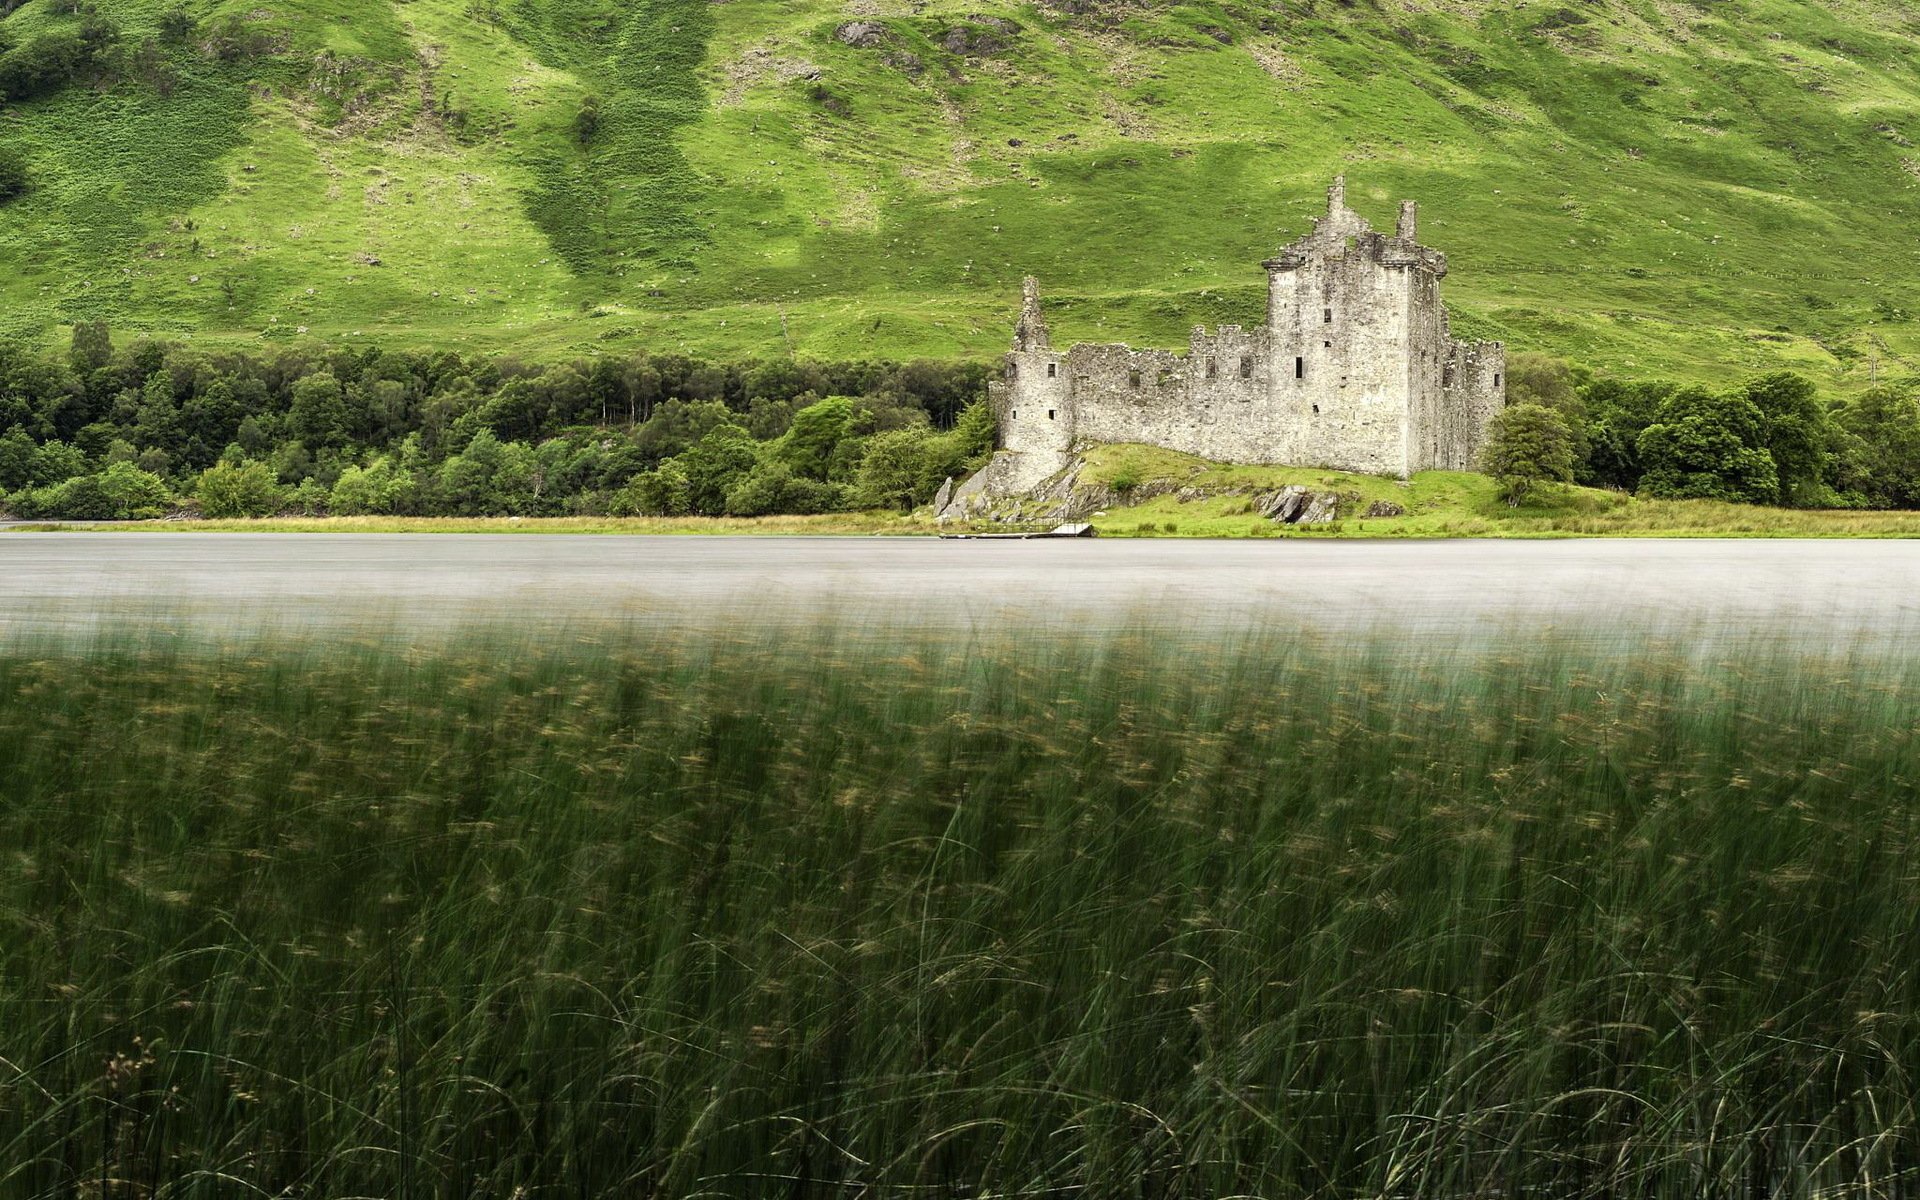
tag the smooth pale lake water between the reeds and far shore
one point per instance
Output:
(247, 583)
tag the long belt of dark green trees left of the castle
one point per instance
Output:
(137, 431)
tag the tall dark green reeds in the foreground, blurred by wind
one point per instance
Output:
(844, 919)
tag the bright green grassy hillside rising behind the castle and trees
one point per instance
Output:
(1646, 185)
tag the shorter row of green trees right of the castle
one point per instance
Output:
(1769, 441)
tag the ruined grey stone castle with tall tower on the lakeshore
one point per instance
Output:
(1355, 370)
